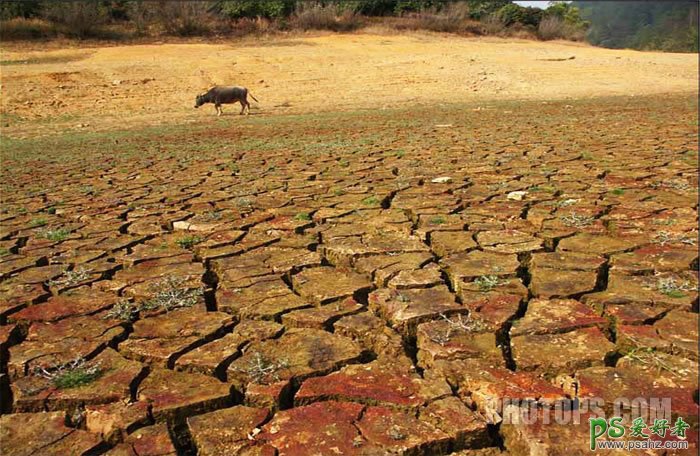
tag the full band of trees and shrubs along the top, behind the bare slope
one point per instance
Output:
(642, 25)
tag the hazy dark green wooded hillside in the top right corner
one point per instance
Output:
(661, 25)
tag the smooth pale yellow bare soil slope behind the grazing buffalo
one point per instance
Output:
(130, 86)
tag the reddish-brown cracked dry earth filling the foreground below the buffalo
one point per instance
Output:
(349, 283)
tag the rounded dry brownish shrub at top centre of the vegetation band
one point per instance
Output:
(333, 16)
